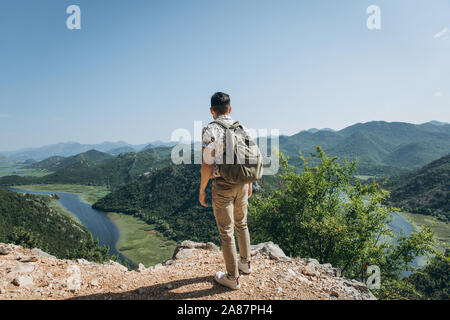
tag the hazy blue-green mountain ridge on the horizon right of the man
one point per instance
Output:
(383, 148)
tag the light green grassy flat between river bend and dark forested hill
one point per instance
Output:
(139, 241)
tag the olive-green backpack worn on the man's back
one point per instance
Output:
(241, 161)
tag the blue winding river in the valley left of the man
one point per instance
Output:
(97, 222)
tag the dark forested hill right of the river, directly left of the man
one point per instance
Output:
(169, 199)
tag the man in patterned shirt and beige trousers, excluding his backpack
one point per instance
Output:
(229, 200)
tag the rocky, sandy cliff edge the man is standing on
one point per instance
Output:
(33, 274)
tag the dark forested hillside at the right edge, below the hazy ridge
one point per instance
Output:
(426, 190)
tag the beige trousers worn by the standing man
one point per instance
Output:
(230, 203)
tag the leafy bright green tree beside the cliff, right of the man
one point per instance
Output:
(324, 213)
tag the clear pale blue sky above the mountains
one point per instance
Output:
(139, 69)
